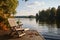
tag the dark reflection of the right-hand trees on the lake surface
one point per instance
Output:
(49, 23)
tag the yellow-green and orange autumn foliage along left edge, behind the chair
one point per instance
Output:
(7, 7)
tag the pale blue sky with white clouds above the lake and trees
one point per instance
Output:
(32, 7)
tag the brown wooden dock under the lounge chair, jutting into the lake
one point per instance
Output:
(30, 35)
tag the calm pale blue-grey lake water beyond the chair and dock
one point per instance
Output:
(48, 31)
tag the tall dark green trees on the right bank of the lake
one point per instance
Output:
(49, 15)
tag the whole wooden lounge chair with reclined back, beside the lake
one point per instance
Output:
(15, 28)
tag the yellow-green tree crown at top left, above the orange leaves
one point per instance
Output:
(8, 6)
